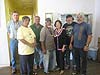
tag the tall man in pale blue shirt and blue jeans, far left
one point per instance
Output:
(12, 28)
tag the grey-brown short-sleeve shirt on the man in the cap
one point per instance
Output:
(47, 38)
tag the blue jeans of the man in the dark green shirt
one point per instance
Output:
(38, 56)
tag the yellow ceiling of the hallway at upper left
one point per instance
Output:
(23, 6)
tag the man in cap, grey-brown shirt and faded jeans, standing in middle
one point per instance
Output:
(48, 46)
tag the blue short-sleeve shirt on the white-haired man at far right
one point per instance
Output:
(80, 33)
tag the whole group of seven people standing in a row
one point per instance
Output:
(47, 47)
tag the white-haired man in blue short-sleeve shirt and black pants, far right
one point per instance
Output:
(82, 36)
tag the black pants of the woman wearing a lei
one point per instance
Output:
(60, 59)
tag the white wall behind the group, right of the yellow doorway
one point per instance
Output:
(66, 7)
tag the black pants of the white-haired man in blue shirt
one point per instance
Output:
(81, 60)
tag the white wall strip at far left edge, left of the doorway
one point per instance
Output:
(4, 53)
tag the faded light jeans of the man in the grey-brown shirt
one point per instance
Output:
(49, 60)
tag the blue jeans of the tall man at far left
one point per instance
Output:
(13, 47)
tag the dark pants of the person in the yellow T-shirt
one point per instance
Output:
(26, 64)
